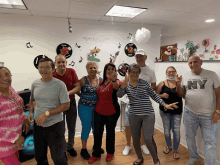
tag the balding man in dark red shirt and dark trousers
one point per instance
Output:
(69, 77)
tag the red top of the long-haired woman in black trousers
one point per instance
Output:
(105, 105)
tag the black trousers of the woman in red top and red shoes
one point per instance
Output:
(110, 123)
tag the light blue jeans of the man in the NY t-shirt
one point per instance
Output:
(209, 134)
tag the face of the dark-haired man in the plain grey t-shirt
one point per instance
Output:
(45, 69)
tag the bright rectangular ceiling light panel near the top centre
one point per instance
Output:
(122, 11)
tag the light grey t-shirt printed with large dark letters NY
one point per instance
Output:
(200, 95)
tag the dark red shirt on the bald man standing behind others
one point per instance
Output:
(69, 78)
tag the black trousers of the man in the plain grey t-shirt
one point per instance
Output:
(52, 136)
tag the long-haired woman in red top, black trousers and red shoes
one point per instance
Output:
(107, 112)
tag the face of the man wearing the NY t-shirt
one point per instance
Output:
(195, 64)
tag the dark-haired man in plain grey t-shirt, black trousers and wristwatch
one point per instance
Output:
(51, 99)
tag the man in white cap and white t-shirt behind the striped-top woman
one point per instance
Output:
(148, 74)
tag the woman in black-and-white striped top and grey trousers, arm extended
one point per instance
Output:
(141, 111)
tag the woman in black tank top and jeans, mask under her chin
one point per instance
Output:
(171, 119)
